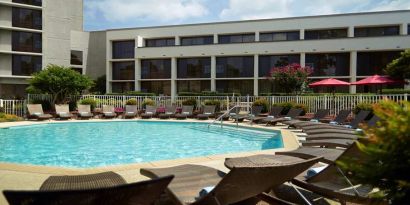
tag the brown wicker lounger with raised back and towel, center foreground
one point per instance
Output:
(219, 188)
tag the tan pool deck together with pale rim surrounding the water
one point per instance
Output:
(30, 177)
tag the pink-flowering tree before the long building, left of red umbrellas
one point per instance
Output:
(291, 78)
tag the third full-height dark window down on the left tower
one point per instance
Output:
(26, 65)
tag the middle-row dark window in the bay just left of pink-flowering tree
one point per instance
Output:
(234, 67)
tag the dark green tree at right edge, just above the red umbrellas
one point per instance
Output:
(400, 67)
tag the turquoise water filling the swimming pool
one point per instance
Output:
(94, 144)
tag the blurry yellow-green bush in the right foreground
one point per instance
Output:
(385, 158)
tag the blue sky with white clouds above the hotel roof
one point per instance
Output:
(111, 14)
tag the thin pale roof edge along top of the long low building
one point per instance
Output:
(257, 20)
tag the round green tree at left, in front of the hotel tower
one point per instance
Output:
(60, 82)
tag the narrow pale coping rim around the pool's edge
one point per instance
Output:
(289, 140)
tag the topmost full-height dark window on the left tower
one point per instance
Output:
(27, 18)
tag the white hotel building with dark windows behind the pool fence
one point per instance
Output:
(225, 56)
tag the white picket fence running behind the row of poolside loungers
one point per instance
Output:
(313, 103)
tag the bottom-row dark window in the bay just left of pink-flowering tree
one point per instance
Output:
(244, 87)
